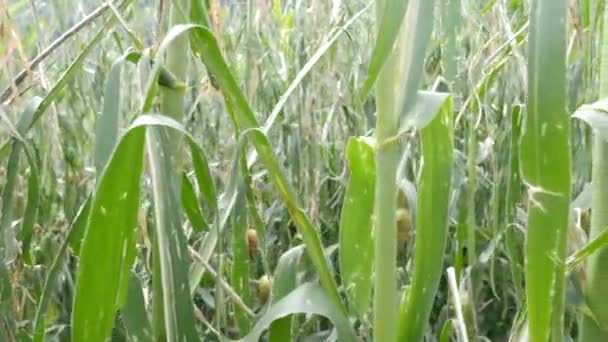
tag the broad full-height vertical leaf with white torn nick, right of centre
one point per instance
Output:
(545, 163)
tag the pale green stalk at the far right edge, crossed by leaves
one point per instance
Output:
(596, 290)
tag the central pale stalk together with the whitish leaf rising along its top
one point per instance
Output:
(396, 91)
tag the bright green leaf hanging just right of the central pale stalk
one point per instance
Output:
(432, 206)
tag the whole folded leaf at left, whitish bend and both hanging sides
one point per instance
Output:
(107, 250)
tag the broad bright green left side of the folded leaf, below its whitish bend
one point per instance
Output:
(109, 239)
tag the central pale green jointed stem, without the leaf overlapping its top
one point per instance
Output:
(387, 161)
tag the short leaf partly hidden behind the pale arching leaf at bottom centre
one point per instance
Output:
(283, 282)
